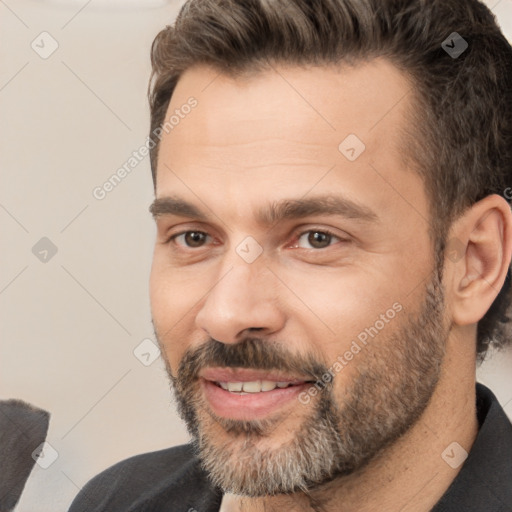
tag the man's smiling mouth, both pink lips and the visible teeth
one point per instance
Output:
(244, 394)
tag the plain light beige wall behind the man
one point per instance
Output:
(70, 325)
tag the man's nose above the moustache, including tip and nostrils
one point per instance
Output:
(242, 303)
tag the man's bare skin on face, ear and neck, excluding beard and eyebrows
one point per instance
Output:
(273, 136)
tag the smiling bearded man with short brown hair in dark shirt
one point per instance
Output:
(332, 258)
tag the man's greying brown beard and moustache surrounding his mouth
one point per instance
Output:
(340, 431)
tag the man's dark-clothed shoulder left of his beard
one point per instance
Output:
(151, 482)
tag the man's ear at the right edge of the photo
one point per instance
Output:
(478, 257)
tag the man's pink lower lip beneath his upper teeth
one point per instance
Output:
(250, 406)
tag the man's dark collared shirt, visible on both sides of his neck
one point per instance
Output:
(172, 480)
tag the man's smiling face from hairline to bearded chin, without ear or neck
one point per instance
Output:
(288, 253)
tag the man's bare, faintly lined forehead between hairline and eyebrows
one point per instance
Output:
(278, 131)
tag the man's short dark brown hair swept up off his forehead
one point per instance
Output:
(460, 134)
